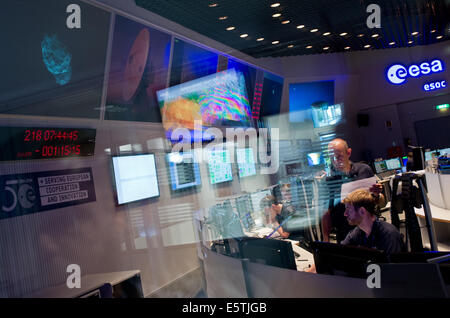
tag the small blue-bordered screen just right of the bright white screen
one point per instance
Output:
(184, 171)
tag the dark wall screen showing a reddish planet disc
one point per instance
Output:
(139, 67)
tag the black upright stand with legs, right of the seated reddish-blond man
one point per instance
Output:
(409, 198)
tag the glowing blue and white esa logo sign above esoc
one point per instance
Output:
(397, 73)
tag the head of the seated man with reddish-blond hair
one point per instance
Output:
(359, 205)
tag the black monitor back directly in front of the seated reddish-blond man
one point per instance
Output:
(344, 260)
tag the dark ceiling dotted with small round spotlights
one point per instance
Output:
(399, 19)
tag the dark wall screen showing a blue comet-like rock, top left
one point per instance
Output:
(49, 66)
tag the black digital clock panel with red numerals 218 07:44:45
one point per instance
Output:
(40, 143)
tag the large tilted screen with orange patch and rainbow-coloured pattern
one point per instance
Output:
(217, 99)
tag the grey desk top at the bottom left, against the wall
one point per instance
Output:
(89, 283)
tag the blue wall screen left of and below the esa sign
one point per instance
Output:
(314, 101)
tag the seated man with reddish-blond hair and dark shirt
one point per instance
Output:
(369, 231)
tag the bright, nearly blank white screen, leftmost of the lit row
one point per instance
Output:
(135, 178)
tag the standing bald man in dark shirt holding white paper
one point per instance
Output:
(343, 170)
